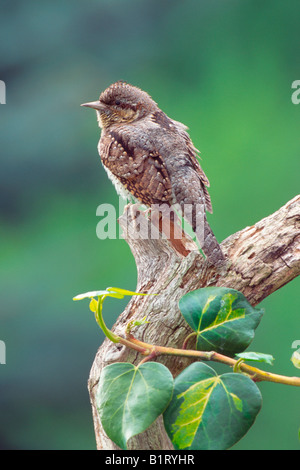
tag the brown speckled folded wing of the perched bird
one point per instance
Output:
(140, 171)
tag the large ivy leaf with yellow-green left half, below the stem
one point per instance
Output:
(210, 411)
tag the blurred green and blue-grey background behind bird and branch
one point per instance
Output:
(223, 68)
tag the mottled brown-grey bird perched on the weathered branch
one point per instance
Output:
(151, 158)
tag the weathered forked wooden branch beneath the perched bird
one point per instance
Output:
(261, 259)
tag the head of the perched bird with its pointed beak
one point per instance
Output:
(122, 103)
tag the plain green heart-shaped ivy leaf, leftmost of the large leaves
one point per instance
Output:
(130, 398)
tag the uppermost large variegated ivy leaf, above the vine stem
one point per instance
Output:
(223, 319)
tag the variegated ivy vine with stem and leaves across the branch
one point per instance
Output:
(201, 409)
